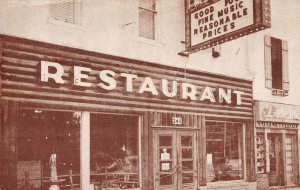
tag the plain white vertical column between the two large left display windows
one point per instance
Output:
(85, 151)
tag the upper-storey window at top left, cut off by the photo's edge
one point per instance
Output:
(65, 11)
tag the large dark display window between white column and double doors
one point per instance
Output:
(114, 151)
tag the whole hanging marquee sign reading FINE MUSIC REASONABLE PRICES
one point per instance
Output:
(213, 22)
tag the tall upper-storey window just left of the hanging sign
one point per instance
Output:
(147, 14)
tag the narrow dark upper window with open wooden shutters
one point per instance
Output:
(276, 65)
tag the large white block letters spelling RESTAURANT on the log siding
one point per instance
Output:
(109, 81)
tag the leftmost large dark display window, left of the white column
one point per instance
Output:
(48, 147)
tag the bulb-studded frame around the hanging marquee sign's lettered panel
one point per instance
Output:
(261, 21)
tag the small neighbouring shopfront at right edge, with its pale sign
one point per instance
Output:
(277, 142)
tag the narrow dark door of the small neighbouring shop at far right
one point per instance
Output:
(276, 159)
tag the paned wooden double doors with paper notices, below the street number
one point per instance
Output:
(175, 159)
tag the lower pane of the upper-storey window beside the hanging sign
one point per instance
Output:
(146, 24)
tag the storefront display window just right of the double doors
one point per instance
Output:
(224, 149)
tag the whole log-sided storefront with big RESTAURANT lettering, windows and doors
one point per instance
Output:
(111, 122)
